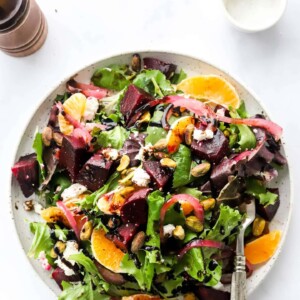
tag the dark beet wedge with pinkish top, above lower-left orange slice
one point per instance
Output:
(135, 210)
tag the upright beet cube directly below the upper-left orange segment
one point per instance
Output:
(73, 155)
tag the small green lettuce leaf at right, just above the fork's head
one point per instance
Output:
(257, 189)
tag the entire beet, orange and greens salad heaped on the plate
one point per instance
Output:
(138, 178)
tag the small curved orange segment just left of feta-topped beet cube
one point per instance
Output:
(175, 134)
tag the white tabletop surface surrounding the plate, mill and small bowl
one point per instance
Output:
(81, 32)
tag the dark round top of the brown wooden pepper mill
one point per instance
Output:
(8, 20)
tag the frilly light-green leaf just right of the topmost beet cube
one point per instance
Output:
(154, 82)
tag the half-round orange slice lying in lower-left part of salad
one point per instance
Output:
(105, 251)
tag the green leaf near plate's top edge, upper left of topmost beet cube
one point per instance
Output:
(113, 77)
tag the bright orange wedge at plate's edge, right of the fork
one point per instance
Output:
(262, 249)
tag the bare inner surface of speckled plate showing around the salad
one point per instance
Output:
(192, 66)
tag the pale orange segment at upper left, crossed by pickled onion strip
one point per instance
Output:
(75, 107)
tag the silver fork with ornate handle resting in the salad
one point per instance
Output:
(238, 283)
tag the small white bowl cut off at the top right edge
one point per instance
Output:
(254, 15)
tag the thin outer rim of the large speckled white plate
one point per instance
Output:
(116, 54)
